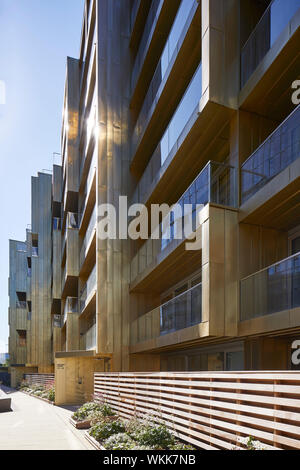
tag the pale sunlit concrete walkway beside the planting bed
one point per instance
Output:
(36, 425)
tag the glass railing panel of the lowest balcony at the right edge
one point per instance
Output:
(272, 290)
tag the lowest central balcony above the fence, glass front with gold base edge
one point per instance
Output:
(173, 322)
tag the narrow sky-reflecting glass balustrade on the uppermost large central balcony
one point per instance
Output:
(166, 57)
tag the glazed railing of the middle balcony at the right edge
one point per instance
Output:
(280, 149)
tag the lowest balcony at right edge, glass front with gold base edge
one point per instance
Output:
(270, 299)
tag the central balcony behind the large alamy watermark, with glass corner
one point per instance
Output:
(216, 184)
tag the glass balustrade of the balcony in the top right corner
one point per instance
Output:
(272, 23)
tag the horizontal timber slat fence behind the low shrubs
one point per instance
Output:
(211, 410)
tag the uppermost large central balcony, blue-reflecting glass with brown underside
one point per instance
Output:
(162, 97)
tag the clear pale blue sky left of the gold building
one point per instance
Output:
(36, 36)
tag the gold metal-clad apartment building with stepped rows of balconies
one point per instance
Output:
(169, 101)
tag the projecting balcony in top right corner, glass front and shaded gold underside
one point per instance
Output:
(270, 59)
